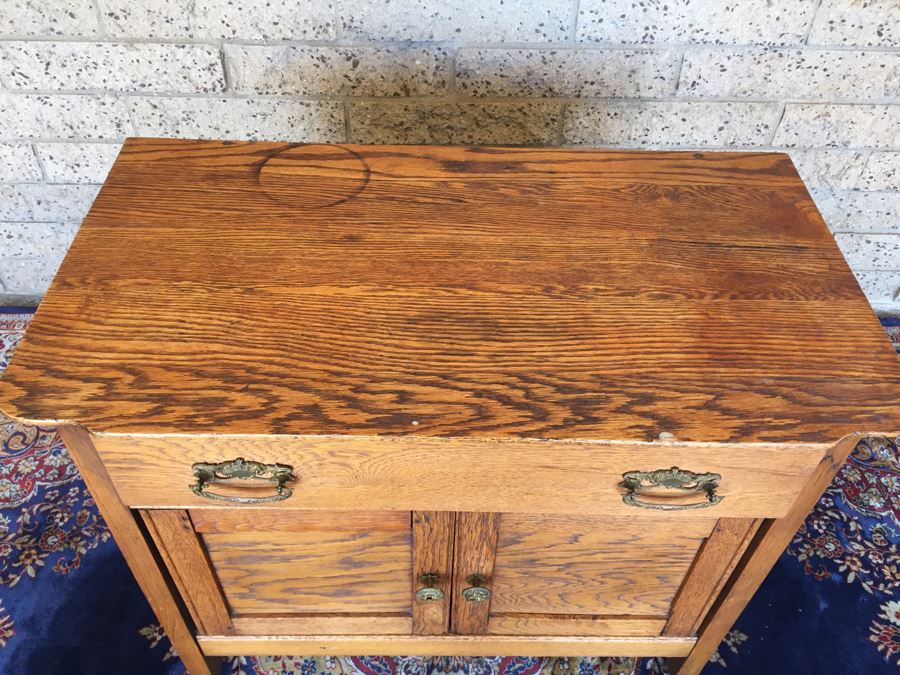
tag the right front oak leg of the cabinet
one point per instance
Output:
(770, 542)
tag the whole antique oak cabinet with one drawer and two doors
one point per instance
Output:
(452, 401)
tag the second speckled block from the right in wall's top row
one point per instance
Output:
(775, 22)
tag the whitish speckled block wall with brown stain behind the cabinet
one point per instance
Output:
(819, 78)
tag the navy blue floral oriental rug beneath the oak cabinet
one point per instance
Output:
(69, 605)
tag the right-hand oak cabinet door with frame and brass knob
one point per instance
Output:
(590, 575)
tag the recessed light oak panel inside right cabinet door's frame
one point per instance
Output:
(550, 564)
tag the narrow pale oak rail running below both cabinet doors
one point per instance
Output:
(442, 645)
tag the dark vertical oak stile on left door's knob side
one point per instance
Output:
(433, 535)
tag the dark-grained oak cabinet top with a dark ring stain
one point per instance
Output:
(275, 288)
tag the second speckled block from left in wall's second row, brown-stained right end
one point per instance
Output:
(342, 71)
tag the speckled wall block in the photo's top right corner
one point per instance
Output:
(857, 22)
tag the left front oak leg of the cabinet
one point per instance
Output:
(140, 557)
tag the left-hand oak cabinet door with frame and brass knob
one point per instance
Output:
(270, 572)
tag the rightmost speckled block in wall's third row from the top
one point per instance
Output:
(826, 125)
